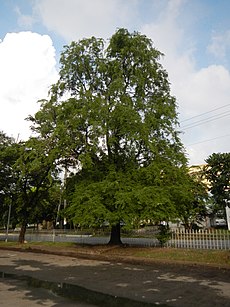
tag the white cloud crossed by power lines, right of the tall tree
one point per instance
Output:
(205, 90)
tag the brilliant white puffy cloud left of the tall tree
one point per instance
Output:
(27, 62)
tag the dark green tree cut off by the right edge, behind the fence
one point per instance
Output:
(217, 172)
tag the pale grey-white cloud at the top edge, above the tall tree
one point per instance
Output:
(75, 19)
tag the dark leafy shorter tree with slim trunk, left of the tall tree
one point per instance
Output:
(28, 181)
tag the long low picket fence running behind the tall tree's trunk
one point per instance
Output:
(180, 238)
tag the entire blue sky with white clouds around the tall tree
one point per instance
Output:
(194, 35)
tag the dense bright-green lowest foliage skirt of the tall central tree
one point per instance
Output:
(119, 196)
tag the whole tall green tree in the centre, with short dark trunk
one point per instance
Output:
(111, 116)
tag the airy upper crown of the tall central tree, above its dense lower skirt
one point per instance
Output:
(119, 103)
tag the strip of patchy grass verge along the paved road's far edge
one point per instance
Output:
(196, 256)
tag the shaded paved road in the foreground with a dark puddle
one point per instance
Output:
(107, 282)
